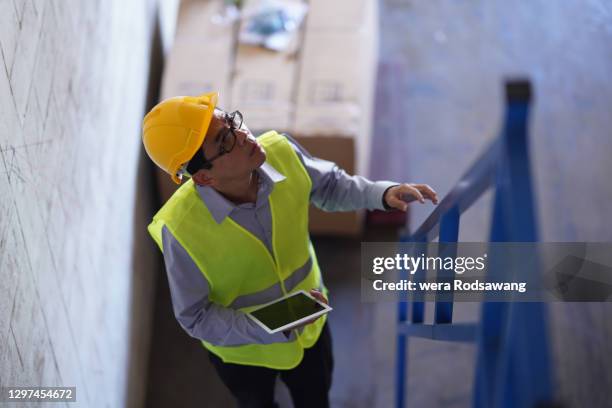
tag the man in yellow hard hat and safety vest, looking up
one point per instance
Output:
(235, 236)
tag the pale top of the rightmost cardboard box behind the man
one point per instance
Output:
(338, 70)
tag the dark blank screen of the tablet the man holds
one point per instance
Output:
(287, 311)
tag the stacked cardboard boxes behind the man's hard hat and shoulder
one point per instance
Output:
(320, 90)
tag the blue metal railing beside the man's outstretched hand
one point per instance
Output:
(513, 364)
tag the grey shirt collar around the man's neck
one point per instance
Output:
(220, 207)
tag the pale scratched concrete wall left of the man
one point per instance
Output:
(75, 263)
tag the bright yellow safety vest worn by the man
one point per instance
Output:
(236, 263)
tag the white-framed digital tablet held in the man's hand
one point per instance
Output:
(288, 312)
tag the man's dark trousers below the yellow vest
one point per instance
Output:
(308, 383)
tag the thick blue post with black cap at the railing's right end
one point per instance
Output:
(513, 357)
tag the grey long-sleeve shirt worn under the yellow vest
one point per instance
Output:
(332, 190)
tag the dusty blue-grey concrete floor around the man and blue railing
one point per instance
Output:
(442, 65)
